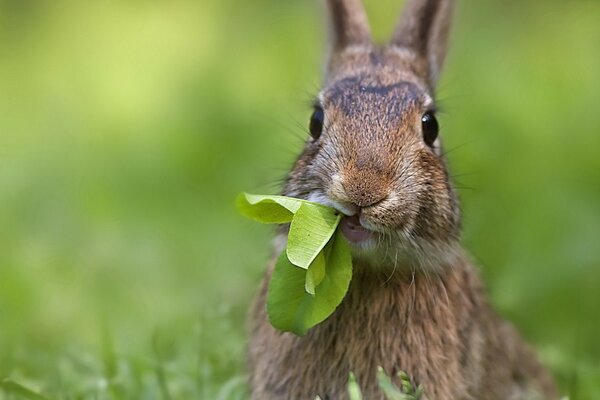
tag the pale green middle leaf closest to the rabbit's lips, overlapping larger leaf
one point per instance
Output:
(312, 227)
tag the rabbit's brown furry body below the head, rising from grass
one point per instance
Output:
(438, 328)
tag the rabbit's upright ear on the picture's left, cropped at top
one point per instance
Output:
(349, 27)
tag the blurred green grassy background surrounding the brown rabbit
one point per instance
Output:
(128, 127)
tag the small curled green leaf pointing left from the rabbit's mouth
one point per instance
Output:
(268, 209)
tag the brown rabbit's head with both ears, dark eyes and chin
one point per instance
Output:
(375, 154)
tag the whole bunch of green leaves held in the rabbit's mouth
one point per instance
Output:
(312, 275)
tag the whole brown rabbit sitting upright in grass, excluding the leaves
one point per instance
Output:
(415, 303)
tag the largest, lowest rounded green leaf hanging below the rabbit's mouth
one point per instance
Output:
(290, 308)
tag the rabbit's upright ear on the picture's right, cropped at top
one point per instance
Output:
(423, 29)
